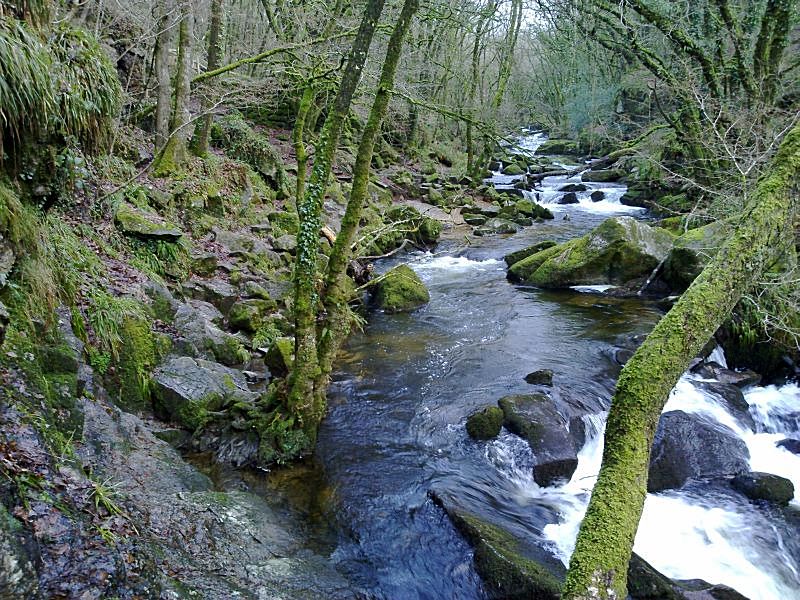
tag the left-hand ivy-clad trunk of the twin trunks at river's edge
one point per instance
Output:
(306, 298)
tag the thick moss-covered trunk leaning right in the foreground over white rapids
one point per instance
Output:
(599, 565)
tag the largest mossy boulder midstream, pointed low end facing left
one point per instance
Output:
(620, 250)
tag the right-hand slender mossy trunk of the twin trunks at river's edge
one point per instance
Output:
(336, 324)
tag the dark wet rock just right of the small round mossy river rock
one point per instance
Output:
(534, 418)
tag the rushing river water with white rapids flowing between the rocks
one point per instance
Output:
(395, 431)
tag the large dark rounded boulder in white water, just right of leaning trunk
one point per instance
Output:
(690, 446)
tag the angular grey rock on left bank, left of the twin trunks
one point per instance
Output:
(188, 390)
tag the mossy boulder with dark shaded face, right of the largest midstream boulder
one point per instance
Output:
(691, 252)
